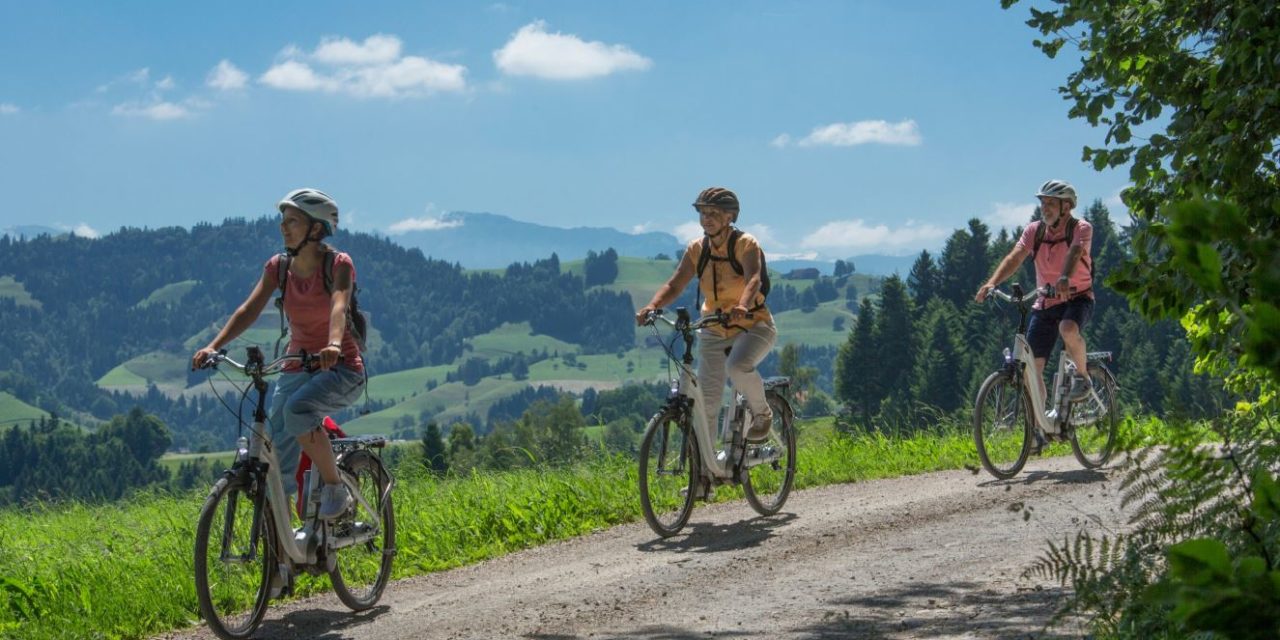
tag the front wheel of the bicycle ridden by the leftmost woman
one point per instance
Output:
(235, 559)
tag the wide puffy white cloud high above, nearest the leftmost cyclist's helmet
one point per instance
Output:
(372, 70)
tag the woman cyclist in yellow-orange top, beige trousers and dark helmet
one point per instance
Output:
(732, 282)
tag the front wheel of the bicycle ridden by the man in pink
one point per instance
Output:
(1002, 426)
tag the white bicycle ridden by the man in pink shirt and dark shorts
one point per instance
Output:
(1011, 410)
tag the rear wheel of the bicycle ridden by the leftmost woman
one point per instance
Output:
(362, 570)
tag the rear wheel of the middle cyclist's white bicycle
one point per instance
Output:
(772, 465)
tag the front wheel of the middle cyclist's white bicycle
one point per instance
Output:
(669, 473)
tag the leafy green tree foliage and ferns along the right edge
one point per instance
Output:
(1188, 93)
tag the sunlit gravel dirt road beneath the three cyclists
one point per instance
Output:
(932, 556)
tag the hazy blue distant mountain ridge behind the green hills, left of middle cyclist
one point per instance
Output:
(491, 241)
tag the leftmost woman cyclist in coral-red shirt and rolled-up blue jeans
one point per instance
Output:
(318, 326)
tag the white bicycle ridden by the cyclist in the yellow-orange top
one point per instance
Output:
(680, 461)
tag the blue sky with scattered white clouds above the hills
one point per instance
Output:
(847, 127)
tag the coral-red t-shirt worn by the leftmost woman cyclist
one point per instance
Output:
(308, 307)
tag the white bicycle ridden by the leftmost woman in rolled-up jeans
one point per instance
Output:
(245, 540)
